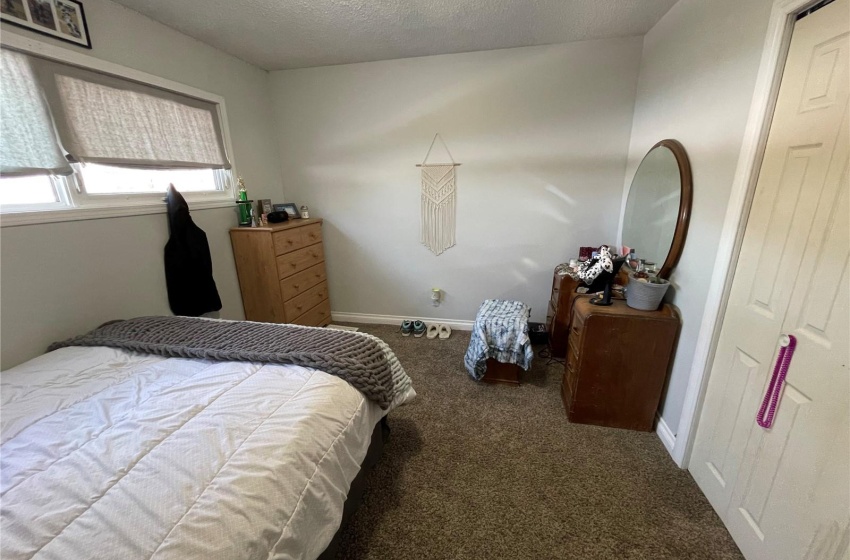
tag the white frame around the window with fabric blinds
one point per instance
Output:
(73, 203)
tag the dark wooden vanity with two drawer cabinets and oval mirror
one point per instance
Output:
(618, 357)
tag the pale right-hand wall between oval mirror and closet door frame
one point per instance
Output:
(697, 76)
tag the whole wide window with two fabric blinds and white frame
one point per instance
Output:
(82, 134)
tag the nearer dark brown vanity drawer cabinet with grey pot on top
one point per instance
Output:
(617, 362)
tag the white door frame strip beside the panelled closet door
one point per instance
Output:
(775, 50)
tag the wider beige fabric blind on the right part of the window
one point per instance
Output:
(115, 121)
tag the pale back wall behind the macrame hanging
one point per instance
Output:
(542, 134)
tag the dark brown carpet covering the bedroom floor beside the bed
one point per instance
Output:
(474, 470)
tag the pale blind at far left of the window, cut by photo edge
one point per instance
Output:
(28, 143)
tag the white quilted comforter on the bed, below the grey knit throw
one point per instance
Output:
(109, 454)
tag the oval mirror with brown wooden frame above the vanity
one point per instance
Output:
(658, 206)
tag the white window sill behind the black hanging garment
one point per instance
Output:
(47, 216)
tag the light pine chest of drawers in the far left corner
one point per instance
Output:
(282, 274)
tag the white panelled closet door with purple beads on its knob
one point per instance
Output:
(784, 492)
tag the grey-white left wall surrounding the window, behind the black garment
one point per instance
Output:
(57, 280)
